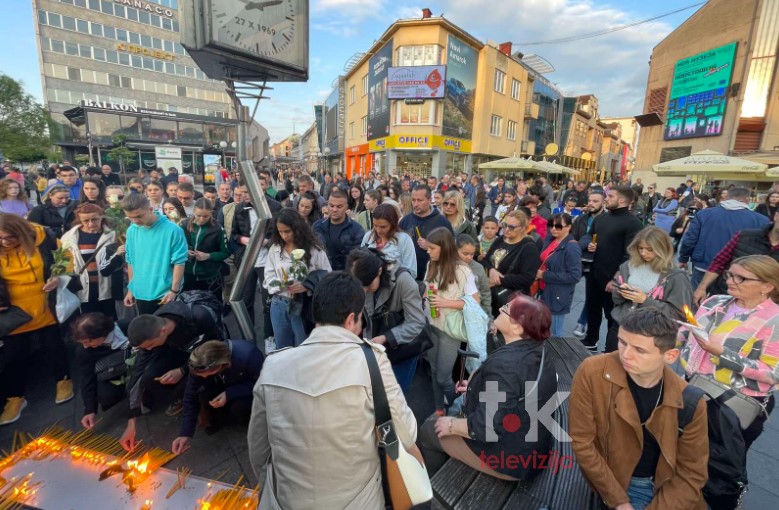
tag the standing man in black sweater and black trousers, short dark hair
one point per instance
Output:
(614, 231)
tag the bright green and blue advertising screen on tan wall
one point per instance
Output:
(699, 94)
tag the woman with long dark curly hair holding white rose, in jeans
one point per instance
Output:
(291, 234)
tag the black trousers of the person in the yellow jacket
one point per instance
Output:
(16, 359)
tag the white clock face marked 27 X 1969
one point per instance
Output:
(265, 28)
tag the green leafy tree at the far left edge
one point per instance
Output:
(24, 124)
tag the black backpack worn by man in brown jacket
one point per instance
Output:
(727, 450)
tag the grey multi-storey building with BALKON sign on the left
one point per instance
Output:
(117, 67)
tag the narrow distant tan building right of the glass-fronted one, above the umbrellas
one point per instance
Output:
(582, 136)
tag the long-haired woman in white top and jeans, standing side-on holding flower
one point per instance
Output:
(452, 280)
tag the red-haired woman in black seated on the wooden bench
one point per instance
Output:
(500, 434)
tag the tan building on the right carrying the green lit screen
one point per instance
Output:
(714, 88)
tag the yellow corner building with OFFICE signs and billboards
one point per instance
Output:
(481, 116)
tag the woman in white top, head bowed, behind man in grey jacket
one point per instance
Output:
(386, 236)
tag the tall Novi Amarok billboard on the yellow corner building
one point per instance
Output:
(461, 64)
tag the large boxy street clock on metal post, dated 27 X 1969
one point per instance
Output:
(268, 38)
